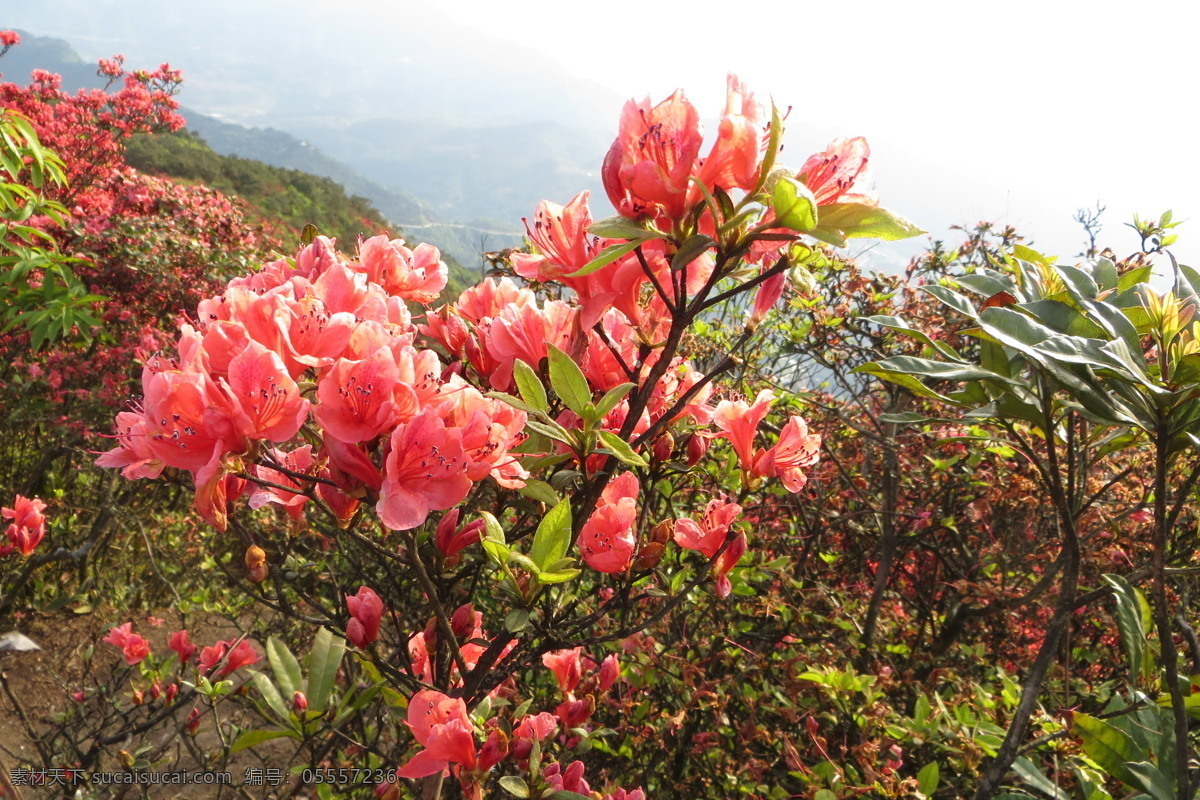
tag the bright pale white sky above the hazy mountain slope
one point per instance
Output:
(1022, 111)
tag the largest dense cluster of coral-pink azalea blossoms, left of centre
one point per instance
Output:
(393, 424)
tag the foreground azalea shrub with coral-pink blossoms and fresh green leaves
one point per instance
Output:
(328, 386)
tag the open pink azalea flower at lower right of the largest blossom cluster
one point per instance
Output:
(425, 472)
